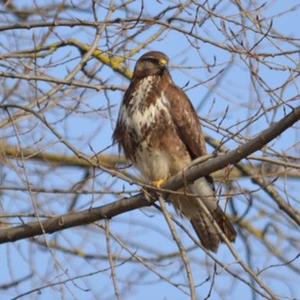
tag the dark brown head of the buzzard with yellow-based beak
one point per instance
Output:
(151, 63)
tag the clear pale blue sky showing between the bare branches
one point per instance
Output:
(145, 230)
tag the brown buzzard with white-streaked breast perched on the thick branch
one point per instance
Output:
(160, 133)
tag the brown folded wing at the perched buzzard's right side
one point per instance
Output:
(186, 121)
